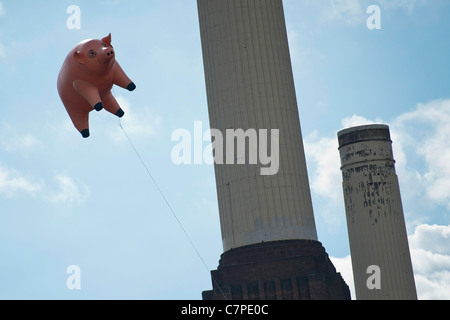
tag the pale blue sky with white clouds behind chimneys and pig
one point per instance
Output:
(68, 201)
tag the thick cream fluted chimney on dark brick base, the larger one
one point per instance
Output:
(267, 222)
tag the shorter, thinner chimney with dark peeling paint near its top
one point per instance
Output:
(380, 255)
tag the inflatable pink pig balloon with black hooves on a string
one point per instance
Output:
(86, 79)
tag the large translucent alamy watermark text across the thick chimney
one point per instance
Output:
(234, 146)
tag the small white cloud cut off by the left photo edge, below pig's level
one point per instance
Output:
(13, 183)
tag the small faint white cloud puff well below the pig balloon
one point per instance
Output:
(69, 193)
